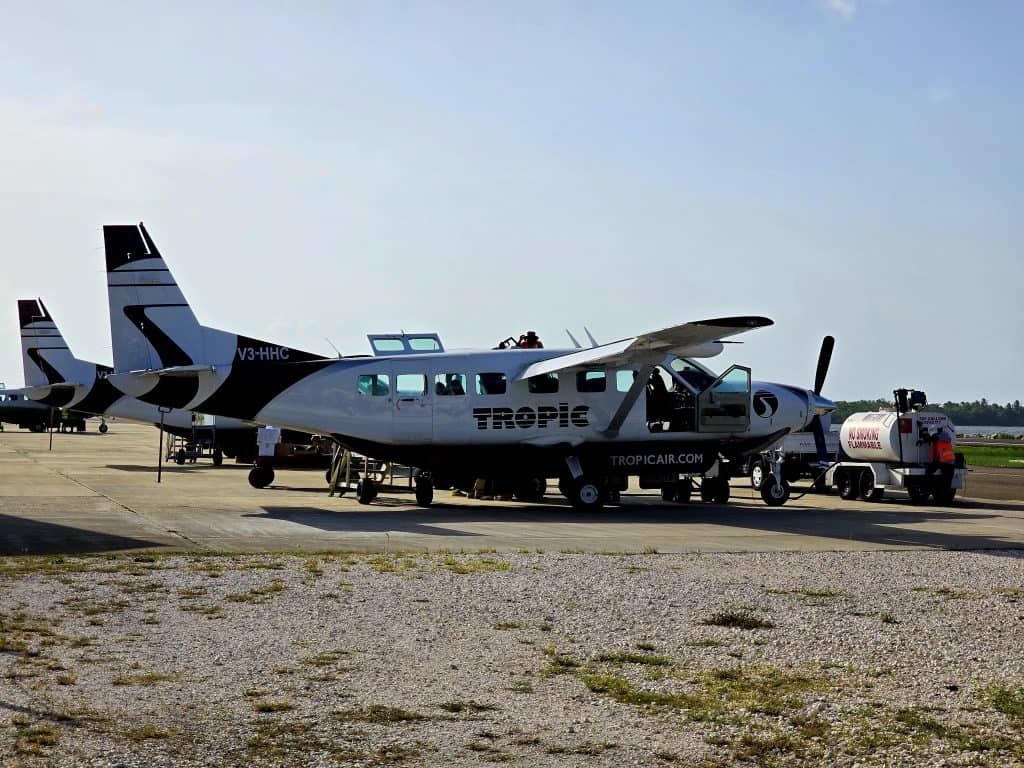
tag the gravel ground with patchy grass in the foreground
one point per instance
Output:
(826, 659)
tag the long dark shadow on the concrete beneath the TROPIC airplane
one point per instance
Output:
(883, 528)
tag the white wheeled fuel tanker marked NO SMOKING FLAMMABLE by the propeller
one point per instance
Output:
(888, 450)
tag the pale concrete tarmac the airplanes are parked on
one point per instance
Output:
(98, 493)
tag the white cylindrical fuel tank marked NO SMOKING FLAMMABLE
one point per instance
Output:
(876, 437)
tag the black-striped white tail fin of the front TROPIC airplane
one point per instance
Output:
(152, 325)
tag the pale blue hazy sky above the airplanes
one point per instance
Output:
(322, 172)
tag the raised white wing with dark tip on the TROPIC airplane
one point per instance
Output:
(691, 339)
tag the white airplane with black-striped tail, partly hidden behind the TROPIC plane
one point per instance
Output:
(56, 377)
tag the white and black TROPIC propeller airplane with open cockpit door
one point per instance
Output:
(591, 417)
